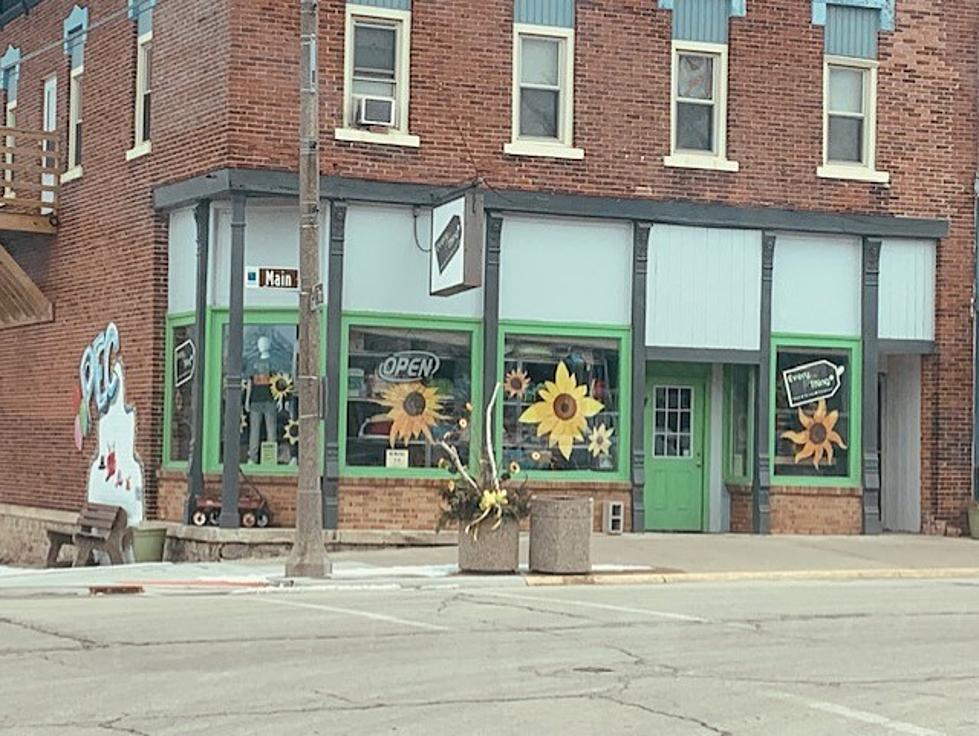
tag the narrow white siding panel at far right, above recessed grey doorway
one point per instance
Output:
(907, 290)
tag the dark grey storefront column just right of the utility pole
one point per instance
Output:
(334, 327)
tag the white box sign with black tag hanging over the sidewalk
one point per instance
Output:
(458, 237)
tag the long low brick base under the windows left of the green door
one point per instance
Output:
(376, 503)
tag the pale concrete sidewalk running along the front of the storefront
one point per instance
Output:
(650, 558)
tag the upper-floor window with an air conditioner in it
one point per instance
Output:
(376, 85)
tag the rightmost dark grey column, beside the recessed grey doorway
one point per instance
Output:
(872, 523)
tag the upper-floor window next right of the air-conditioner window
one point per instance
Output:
(543, 92)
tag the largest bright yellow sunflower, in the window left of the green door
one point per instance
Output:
(562, 410)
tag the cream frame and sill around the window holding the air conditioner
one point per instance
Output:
(398, 135)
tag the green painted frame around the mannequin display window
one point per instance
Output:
(217, 319)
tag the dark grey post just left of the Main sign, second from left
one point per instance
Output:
(232, 367)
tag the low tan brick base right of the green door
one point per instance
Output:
(801, 510)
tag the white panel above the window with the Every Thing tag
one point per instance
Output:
(816, 289)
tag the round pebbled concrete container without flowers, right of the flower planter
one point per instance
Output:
(560, 534)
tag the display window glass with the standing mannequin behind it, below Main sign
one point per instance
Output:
(268, 424)
